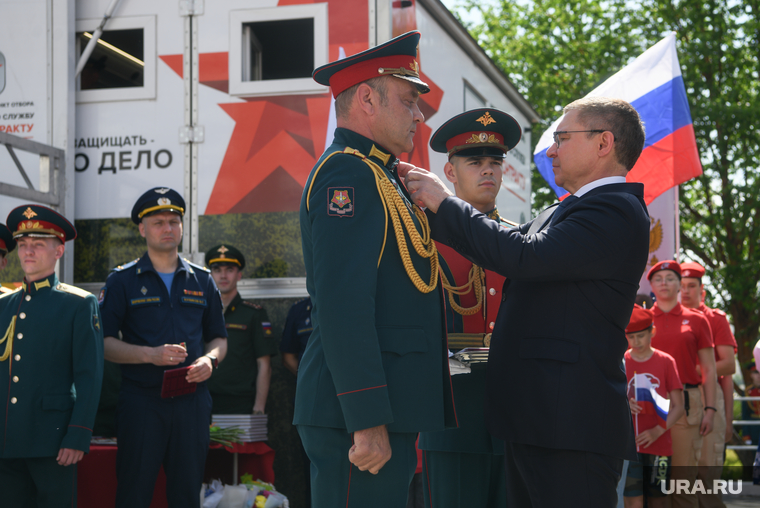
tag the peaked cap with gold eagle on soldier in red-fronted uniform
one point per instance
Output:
(484, 131)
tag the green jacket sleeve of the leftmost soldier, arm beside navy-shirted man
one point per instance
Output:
(88, 374)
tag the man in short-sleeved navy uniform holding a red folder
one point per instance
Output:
(169, 313)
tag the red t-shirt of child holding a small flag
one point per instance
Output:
(663, 374)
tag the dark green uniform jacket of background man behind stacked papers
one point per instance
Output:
(233, 384)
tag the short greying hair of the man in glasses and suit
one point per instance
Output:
(618, 117)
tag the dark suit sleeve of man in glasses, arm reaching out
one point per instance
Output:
(578, 247)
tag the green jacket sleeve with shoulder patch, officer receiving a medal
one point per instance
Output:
(346, 251)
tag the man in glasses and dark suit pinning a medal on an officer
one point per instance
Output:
(555, 391)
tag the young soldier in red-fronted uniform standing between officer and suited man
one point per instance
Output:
(465, 466)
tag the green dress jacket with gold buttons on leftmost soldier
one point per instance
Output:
(51, 381)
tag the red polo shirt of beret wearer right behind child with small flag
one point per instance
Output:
(681, 333)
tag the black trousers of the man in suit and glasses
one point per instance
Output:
(539, 477)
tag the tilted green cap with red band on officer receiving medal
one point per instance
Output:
(397, 58)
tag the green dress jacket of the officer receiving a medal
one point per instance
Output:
(377, 354)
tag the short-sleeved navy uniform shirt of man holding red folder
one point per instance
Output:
(136, 302)
